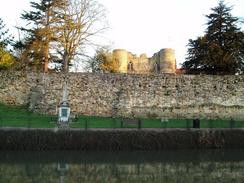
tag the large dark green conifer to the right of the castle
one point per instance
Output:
(221, 49)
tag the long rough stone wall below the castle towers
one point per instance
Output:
(173, 96)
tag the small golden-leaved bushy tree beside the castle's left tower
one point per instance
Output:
(102, 61)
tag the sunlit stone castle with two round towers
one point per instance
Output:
(161, 62)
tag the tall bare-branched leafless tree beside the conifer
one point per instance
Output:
(80, 20)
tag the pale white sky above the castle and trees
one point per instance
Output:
(142, 26)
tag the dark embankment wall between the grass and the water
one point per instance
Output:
(119, 140)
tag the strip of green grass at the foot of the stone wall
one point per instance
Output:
(11, 116)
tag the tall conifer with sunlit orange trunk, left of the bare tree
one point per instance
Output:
(40, 32)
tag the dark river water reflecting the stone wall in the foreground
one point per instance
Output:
(75, 167)
